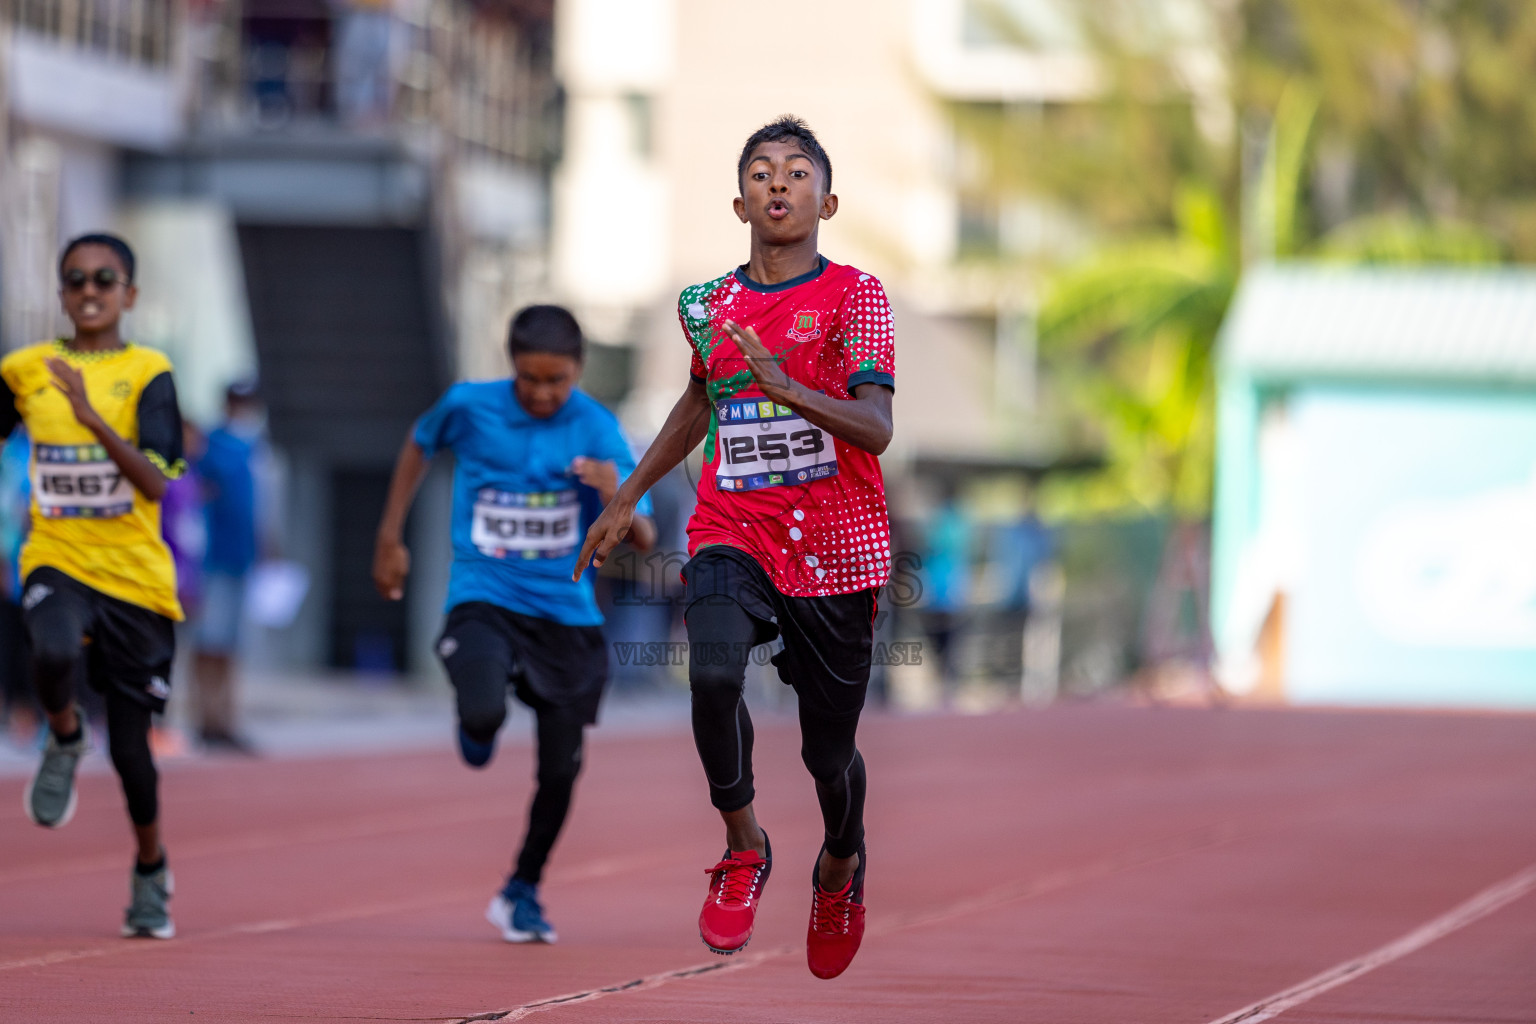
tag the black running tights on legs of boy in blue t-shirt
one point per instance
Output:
(483, 707)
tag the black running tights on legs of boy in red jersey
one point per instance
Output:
(721, 636)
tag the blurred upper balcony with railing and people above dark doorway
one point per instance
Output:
(445, 73)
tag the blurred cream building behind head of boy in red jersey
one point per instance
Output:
(661, 96)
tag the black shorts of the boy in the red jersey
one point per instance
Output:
(827, 641)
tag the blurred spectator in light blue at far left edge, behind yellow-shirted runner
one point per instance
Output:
(16, 682)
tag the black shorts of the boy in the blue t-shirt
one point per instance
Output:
(549, 664)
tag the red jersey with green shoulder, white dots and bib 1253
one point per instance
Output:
(809, 507)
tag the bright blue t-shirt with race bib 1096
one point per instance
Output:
(520, 515)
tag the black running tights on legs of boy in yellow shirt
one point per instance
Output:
(58, 653)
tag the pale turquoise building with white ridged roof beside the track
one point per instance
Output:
(1377, 487)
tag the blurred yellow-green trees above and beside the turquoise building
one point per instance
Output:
(1391, 131)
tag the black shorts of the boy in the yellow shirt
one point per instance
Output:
(130, 649)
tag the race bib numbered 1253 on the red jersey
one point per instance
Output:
(764, 444)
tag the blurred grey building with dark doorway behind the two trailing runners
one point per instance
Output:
(346, 197)
